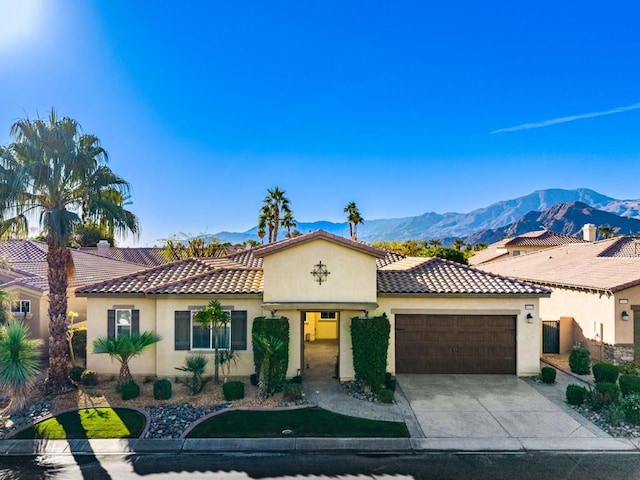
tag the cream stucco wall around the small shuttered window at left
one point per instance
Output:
(97, 308)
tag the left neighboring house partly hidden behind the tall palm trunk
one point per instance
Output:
(24, 275)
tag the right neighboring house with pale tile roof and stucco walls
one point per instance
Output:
(595, 296)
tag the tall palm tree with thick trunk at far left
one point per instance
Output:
(44, 171)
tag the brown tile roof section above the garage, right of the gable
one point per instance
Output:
(436, 276)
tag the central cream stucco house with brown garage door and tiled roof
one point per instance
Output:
(445, 317)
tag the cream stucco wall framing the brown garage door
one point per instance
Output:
(527, 334)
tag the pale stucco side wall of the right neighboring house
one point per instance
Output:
(589, 310)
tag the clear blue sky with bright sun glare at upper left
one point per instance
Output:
(402, 107)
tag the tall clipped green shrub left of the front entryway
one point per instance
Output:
(275, 328)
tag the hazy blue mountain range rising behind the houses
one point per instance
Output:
(556, 209)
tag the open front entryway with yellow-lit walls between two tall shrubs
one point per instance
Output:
(320, 345)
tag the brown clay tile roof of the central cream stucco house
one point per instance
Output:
(242, 274)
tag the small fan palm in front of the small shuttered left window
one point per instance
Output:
(123, 349)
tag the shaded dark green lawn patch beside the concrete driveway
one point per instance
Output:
(306, 422)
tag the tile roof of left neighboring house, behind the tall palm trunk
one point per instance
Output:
(27, 258)
